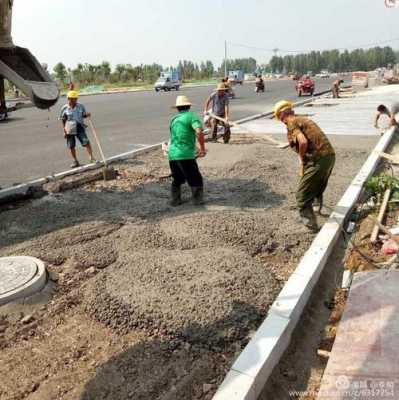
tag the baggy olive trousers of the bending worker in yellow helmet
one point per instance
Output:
(314, 181)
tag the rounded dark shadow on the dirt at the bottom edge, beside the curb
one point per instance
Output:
(169, 369)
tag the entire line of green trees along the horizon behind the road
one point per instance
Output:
(315, 61)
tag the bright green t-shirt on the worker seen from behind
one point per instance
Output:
(183, 136)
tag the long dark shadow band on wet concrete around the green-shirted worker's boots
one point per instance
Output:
(147, 202)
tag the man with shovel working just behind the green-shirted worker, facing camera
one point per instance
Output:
(219, 101)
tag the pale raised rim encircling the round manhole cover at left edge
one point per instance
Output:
(36, 284)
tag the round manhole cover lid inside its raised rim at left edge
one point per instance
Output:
(16, 272)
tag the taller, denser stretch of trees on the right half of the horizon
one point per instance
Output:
(334, 61)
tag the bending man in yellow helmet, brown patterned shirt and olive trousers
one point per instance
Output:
(317, 159)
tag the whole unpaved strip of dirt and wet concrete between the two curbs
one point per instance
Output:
(150, 301)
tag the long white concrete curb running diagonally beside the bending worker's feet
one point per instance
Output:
(252, 369)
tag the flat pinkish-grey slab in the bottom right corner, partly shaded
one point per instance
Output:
(364, 360)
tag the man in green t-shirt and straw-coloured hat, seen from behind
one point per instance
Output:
(185, 130)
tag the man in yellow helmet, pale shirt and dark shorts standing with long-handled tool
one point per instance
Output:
(72, 117)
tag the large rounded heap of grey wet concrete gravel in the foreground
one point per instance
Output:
(189, 294)
